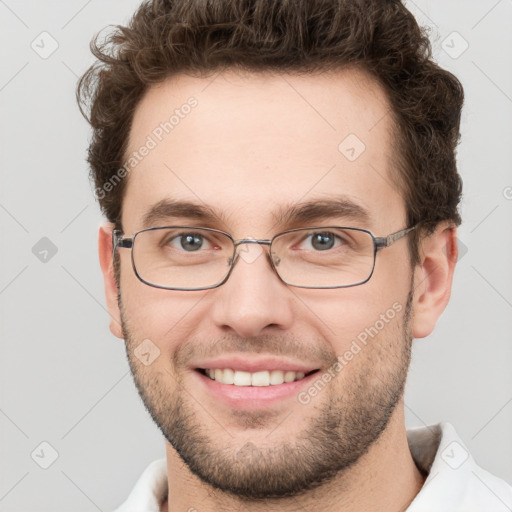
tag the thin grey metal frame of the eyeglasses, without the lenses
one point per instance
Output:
(121, 242)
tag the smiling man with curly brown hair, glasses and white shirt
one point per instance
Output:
(281, 189)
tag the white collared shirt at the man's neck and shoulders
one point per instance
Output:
(455, 483)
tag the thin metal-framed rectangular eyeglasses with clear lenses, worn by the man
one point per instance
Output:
(194, 258)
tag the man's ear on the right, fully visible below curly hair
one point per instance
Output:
(433, 278)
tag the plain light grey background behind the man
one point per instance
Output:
(63, 376)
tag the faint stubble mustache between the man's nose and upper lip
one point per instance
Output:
(318, 351)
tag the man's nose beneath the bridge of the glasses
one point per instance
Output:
(253, 299)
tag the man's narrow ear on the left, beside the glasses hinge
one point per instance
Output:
(106, 262)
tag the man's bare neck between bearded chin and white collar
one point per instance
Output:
(385, 479)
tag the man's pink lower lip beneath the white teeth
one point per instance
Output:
(252, 397)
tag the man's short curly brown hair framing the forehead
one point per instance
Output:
(380, 37)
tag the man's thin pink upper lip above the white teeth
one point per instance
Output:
(252, 364)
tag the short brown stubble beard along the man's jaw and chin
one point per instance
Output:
(334, 439)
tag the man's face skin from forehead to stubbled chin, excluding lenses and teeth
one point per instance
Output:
(253, 146)
